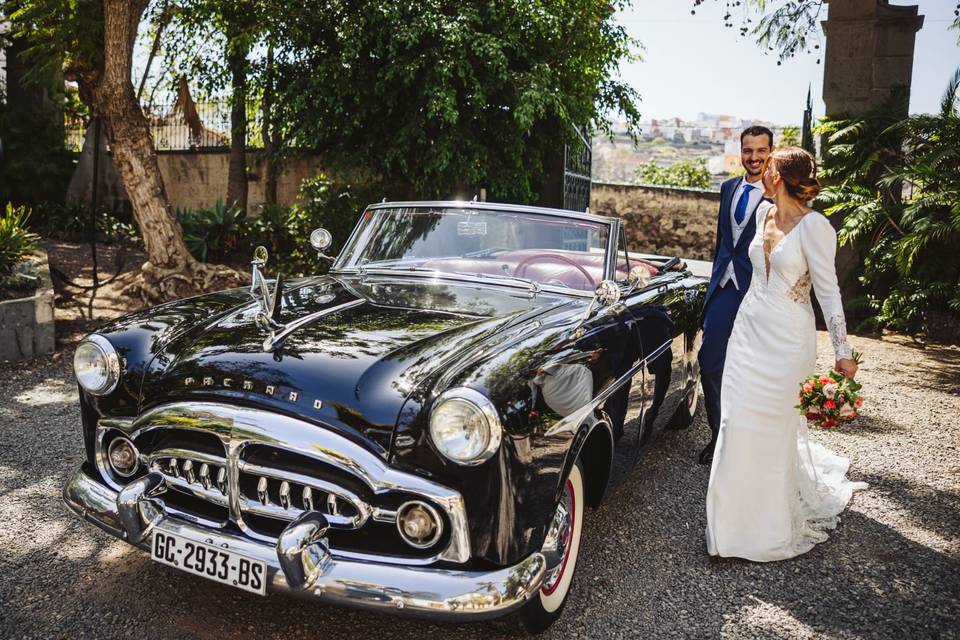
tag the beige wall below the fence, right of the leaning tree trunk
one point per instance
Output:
(195, 180)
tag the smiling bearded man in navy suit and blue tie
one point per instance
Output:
(730, 279)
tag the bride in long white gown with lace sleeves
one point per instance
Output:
(772, 492)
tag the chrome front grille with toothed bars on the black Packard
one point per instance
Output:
(227, 466)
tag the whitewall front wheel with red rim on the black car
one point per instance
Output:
(563, 546)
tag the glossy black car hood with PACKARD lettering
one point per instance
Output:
(360, 347)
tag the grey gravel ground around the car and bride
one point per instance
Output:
(891, 570)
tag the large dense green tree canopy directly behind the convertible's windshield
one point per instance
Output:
(432, 98)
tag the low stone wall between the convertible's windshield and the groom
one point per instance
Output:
(662, 220)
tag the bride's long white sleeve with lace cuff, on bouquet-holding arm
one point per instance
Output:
(820, 249)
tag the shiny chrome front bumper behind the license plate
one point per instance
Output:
(426, 592)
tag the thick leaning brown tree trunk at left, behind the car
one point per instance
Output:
(170, 270)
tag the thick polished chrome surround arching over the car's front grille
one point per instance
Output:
(238, 427)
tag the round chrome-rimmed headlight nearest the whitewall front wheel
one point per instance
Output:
(464, 426)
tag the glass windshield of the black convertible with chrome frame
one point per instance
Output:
(545, 249)
